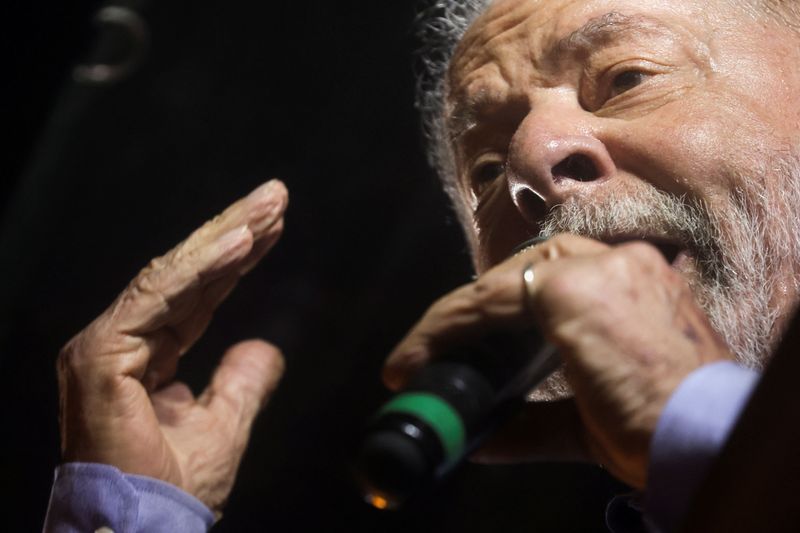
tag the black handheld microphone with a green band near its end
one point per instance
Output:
(448, 410)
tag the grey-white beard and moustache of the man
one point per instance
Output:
(742, 251)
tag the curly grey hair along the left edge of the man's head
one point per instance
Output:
(440, 27)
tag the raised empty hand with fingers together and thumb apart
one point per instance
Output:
(120, 404)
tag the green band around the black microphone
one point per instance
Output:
(435, 412)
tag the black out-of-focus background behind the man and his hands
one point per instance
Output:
(97, 180)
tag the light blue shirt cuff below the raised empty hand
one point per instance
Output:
(90, 496)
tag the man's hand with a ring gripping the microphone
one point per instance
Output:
(624, 322)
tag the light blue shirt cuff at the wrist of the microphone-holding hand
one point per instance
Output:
(690, 433)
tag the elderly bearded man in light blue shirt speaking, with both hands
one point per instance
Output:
(653, 141)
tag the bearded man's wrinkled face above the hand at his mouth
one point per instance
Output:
(670, 120)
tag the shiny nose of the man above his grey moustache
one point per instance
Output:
(553, 155)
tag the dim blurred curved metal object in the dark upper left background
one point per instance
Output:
(120, 49)
